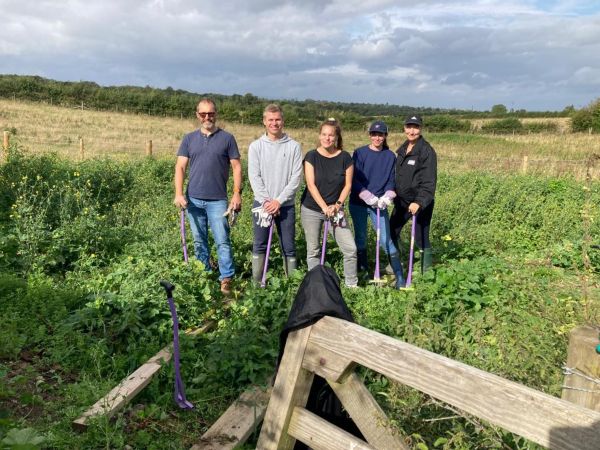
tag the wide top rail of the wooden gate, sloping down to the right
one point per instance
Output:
(546, 420)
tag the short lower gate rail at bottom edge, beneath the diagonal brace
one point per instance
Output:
(319, 434)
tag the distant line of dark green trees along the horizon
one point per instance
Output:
(247, 108)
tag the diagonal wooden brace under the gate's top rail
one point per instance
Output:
(367, 414)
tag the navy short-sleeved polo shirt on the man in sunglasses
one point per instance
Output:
(209, 163)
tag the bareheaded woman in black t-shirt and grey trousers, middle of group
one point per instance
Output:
(328, 171)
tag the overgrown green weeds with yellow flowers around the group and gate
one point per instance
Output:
(83, 246)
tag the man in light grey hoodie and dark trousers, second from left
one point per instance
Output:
(274, 171)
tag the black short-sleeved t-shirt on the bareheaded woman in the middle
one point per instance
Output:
(330, 177)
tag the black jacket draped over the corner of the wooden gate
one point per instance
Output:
(319, 295)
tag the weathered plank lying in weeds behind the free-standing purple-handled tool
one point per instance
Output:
(127, 389)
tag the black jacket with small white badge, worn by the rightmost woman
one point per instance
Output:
(416, 174)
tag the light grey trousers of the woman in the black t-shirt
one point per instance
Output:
(312, 223)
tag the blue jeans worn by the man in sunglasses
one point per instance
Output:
(205, 213)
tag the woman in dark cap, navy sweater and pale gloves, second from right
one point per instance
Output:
(372, 189)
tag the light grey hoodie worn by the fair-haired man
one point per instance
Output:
(275, 169)
